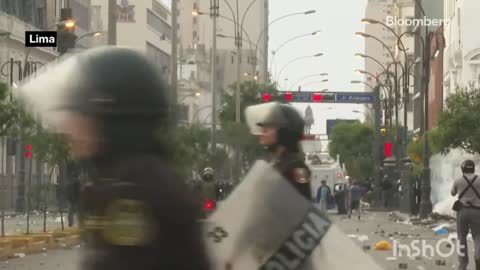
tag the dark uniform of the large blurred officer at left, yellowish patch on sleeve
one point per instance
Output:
(141, 190)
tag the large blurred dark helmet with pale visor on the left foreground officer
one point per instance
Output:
(118, 88)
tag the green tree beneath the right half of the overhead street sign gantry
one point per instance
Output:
(353, 143)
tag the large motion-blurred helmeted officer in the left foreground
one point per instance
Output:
(136, 212)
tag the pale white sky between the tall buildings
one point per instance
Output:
(338, 20)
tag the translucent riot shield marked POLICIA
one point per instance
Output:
(266, 224)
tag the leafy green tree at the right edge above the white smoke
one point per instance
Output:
(459, 125)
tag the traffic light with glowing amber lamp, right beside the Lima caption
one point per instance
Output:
(66, 31)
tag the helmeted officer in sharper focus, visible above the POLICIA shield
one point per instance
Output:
(280, 128)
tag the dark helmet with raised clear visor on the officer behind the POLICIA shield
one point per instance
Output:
(285, 118)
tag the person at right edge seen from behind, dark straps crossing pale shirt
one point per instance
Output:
(468, 212)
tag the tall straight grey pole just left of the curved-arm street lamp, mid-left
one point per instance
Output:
(214, 6)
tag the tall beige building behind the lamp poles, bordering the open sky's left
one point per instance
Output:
(198, 29)
